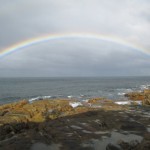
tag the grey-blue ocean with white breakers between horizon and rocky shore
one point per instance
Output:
(81, 88)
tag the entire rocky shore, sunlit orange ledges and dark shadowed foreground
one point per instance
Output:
(95, 124)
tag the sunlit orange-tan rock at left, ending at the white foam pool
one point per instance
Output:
(38, 111)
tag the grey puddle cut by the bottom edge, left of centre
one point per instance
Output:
(42, 146)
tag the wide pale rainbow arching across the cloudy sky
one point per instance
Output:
(33, 41)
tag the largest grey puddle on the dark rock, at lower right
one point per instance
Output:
(115, 138)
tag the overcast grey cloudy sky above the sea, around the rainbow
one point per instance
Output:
(128, 20)
